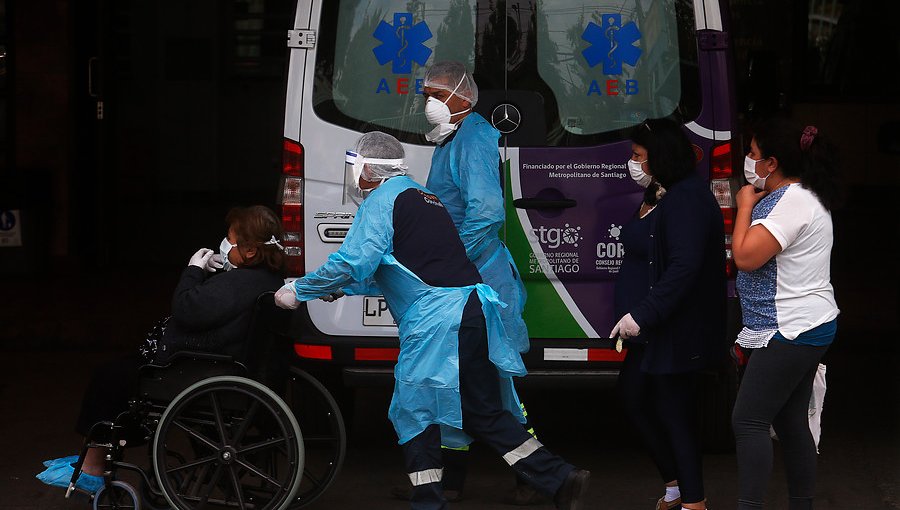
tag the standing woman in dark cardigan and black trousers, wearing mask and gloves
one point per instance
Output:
(670, 295)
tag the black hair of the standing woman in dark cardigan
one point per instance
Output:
(669, 153)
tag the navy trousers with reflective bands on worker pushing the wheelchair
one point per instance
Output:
(484, 419)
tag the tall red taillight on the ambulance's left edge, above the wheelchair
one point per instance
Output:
(290, 198)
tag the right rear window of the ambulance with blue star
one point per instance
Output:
(626, 65)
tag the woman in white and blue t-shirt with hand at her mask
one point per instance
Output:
(782, 246)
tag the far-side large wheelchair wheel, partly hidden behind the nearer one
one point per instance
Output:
(324, 435)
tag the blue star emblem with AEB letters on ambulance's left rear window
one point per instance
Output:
(402, 44)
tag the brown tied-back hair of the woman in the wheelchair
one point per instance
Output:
(254, 226)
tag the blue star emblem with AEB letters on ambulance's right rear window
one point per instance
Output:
(612, 44)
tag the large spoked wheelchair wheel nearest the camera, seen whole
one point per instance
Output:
(228, 442)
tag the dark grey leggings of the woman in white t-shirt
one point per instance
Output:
(775, 391)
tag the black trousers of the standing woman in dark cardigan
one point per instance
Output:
(663, 409)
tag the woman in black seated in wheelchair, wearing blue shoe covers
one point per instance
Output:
(211, 312)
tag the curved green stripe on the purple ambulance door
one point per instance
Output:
(545, 313)
